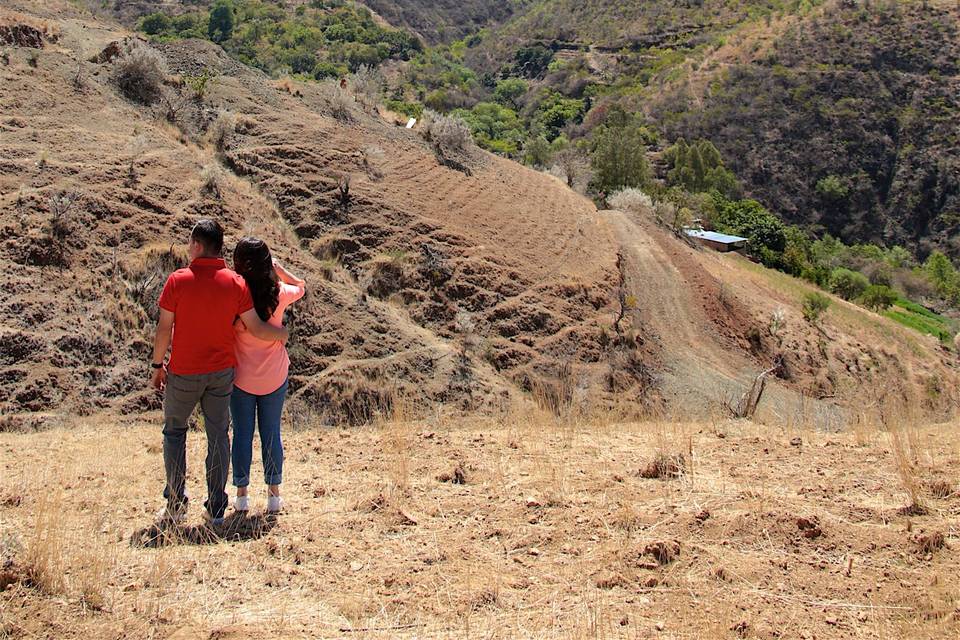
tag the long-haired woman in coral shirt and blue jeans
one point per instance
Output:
(260, 384)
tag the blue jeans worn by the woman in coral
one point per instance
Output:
(247, 409)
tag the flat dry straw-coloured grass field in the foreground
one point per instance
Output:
(517, 526)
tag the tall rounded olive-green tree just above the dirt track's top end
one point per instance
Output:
(618, 153)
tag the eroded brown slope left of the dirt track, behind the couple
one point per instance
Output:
(456, 285)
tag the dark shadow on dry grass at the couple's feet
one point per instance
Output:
(237, 527)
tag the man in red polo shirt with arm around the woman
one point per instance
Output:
(198, 307)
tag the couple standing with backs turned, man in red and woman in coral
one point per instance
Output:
(229, 356)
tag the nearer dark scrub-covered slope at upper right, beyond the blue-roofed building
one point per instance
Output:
(849, 123)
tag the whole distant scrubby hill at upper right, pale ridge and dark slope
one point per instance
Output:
(797, 97)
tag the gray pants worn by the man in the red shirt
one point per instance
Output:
(212, 391)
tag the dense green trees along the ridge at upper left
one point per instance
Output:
(319, 39)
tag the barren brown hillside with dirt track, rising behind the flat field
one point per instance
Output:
(461, 281)
